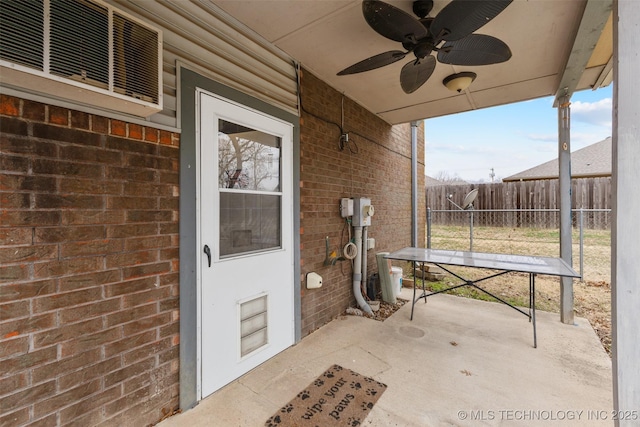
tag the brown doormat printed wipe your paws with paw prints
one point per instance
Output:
(338, 397)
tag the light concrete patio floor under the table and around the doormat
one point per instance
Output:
(460, 362)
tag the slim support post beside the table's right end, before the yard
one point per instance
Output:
(564, 163)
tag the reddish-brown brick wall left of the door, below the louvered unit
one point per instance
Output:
(88, 268)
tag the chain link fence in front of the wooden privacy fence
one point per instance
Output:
(527, 232)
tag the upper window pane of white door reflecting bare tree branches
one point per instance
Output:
(247, 159)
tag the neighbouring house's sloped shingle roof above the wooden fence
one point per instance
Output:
(591, 161)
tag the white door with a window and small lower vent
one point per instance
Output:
(246, 240)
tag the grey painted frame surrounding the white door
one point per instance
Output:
(190, 83)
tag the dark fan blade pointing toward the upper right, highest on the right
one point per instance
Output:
(460, 18)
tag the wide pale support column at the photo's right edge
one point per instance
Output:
(625, 268)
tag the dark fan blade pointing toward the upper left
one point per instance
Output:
(391, 22)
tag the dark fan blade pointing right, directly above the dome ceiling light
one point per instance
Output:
(475, 49)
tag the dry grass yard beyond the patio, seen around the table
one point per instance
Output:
(592, 297)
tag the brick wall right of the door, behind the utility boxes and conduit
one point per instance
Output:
(380, 170)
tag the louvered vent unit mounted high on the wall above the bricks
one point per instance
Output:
(81, 50)
